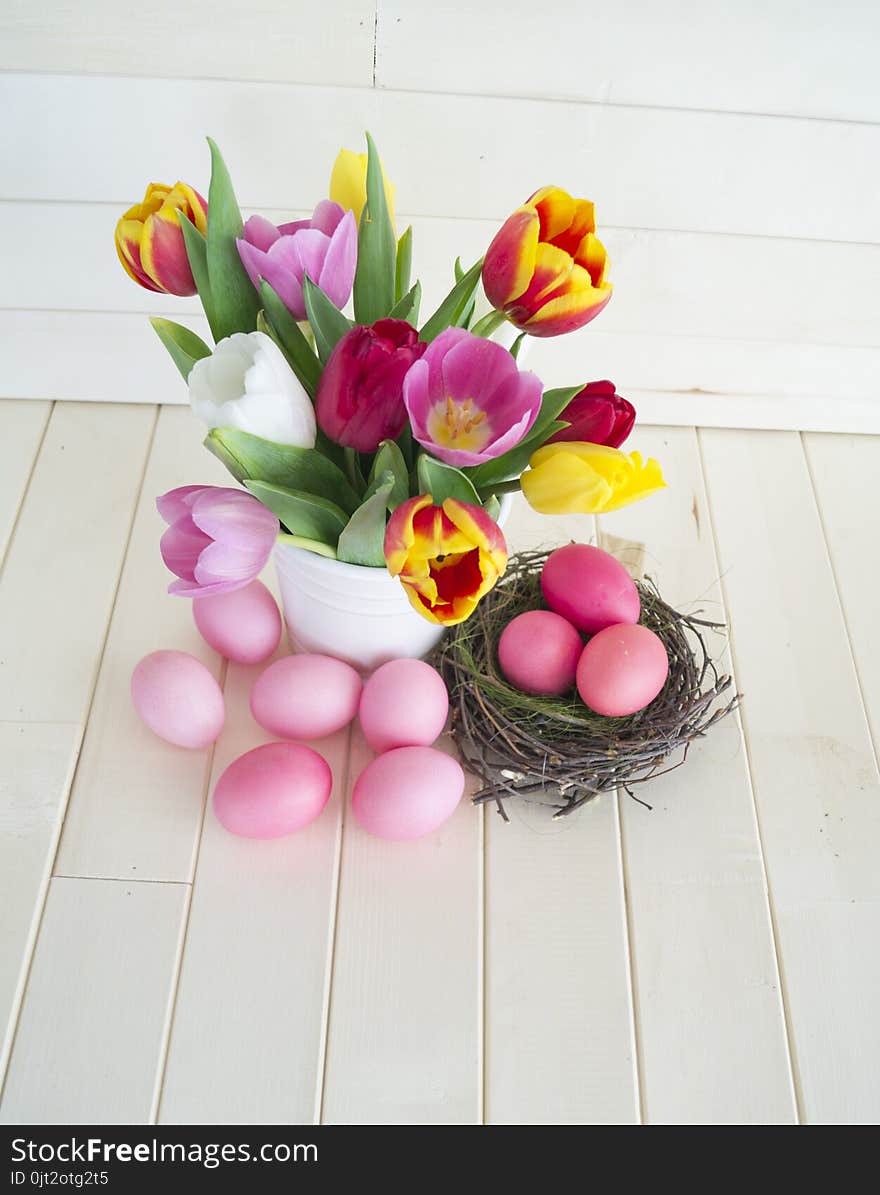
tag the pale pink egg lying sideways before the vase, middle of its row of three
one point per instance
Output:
(307, 697)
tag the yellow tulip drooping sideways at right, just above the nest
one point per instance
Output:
(573, 477)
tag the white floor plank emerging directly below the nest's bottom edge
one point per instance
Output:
(559, 1014)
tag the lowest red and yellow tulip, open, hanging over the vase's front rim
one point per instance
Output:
(447, 557)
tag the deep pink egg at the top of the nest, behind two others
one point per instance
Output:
(590, 589)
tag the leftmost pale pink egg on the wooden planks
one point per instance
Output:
(179, 698)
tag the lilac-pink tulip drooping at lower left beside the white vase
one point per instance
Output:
(218, 540)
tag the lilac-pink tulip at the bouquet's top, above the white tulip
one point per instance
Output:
(325, 248)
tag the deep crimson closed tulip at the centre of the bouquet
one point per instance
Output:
(360, 394)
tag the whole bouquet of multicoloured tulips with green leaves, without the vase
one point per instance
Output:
(377, 438)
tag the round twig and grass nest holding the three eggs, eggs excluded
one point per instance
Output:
(557, 751)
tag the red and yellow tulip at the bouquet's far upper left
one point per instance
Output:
(150, 241)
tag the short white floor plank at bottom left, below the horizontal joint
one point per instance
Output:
(93, 1024)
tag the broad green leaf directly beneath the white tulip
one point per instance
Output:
(305, 470)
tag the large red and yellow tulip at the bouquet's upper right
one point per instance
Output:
(546, 268)
